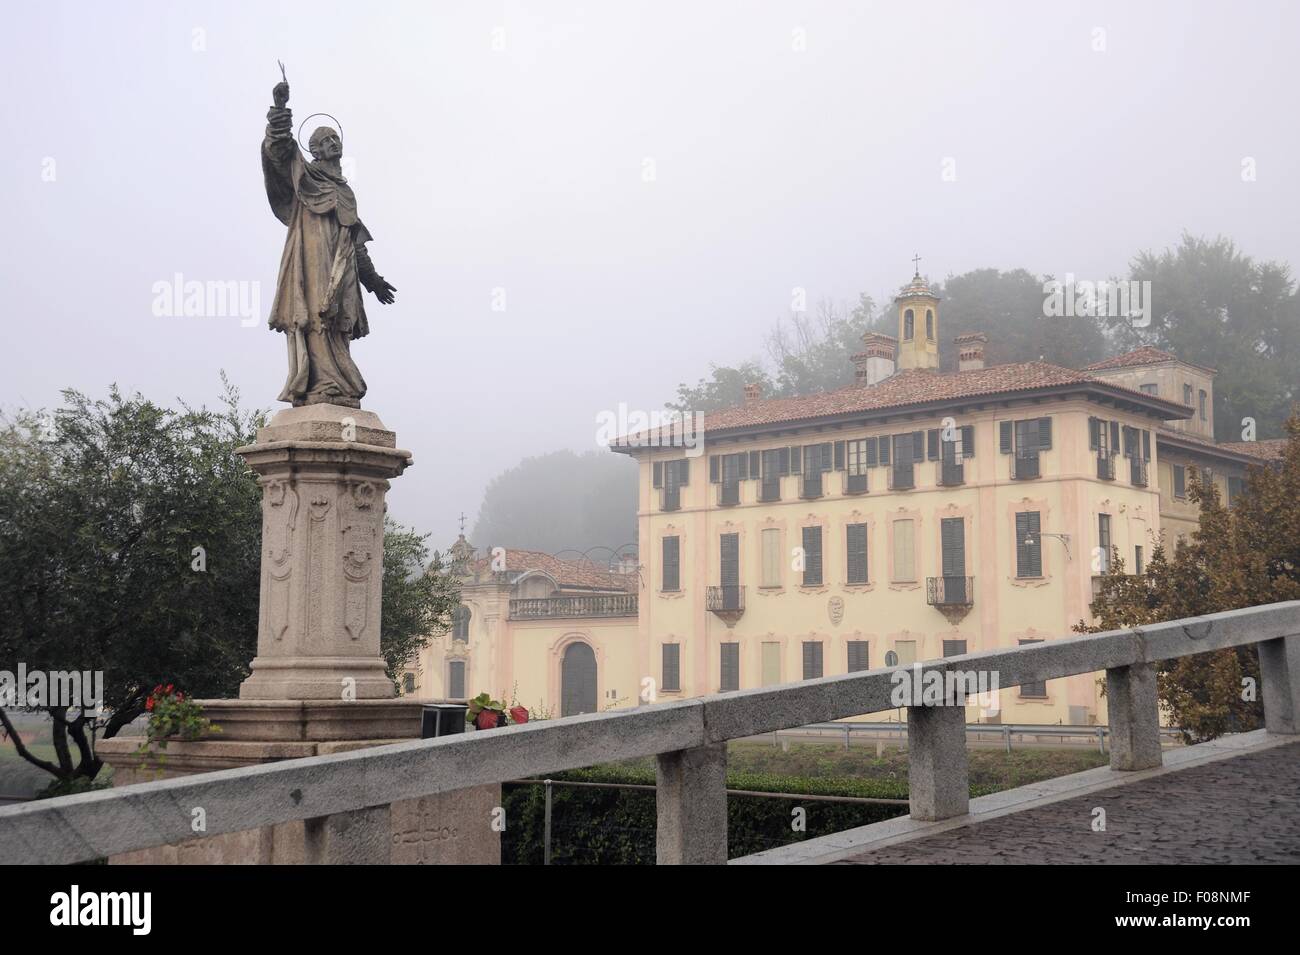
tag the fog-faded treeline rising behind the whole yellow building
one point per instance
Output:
(1211, 305)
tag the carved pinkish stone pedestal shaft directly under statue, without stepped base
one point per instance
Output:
(324, 471)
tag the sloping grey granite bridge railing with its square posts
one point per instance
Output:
(345, 797)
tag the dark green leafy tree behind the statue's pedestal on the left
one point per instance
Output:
(102, 507)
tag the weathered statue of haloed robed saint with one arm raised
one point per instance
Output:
(324, 266)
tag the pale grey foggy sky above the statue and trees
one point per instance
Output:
(522, 171)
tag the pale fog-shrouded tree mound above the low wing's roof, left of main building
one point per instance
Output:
(561, 501)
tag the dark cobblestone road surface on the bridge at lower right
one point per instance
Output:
(1240, 810)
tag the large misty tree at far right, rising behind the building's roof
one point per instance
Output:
(1217, 307)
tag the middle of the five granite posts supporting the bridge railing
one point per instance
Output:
(938, 774)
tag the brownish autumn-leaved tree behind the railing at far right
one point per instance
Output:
(1241, 557)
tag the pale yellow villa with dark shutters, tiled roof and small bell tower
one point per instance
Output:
(909, 516)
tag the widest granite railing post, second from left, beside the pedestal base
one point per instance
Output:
(691, 800)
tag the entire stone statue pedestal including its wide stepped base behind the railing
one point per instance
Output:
(319, 683)
